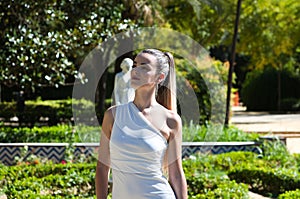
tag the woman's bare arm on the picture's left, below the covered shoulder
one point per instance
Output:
(103, 164)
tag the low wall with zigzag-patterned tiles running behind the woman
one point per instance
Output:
(56, 151)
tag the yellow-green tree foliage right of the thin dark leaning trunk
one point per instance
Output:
(269, 31)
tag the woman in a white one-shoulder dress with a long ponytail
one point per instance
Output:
(141, 139)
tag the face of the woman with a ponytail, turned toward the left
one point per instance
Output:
(144, 71)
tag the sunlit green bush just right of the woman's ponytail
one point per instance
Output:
(207, 85)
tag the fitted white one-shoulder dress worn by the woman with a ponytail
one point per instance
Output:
(136, 151)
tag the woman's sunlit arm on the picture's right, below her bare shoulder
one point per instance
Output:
(175, 170)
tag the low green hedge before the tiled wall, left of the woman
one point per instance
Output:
(49, 181)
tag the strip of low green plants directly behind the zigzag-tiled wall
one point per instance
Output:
(80, 133)
